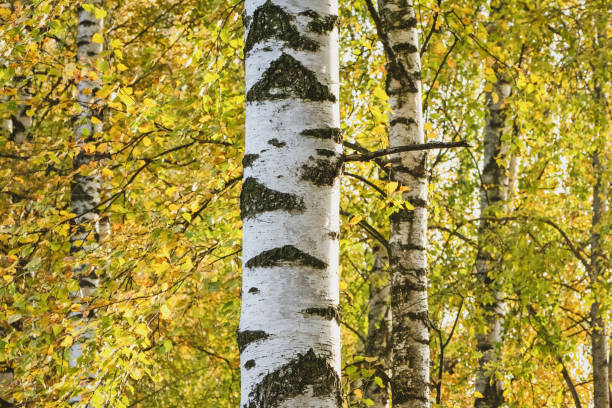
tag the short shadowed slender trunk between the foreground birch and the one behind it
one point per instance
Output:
(378, 341)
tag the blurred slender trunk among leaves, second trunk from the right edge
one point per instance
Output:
(493, 196)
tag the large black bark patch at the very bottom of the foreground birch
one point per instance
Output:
(294, 378)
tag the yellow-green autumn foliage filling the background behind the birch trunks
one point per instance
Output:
(169, 164)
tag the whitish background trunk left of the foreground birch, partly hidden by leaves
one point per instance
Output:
(85, 193)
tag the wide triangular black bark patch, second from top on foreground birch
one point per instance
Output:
(288, 78)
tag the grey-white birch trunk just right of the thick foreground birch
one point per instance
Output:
(408, 237)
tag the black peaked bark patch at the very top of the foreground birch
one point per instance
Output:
(271, 21)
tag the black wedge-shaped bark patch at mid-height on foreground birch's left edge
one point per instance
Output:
(256, 198)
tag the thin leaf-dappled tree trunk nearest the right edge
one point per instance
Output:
(599, 340)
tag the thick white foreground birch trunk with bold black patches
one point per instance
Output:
(289, 335)
